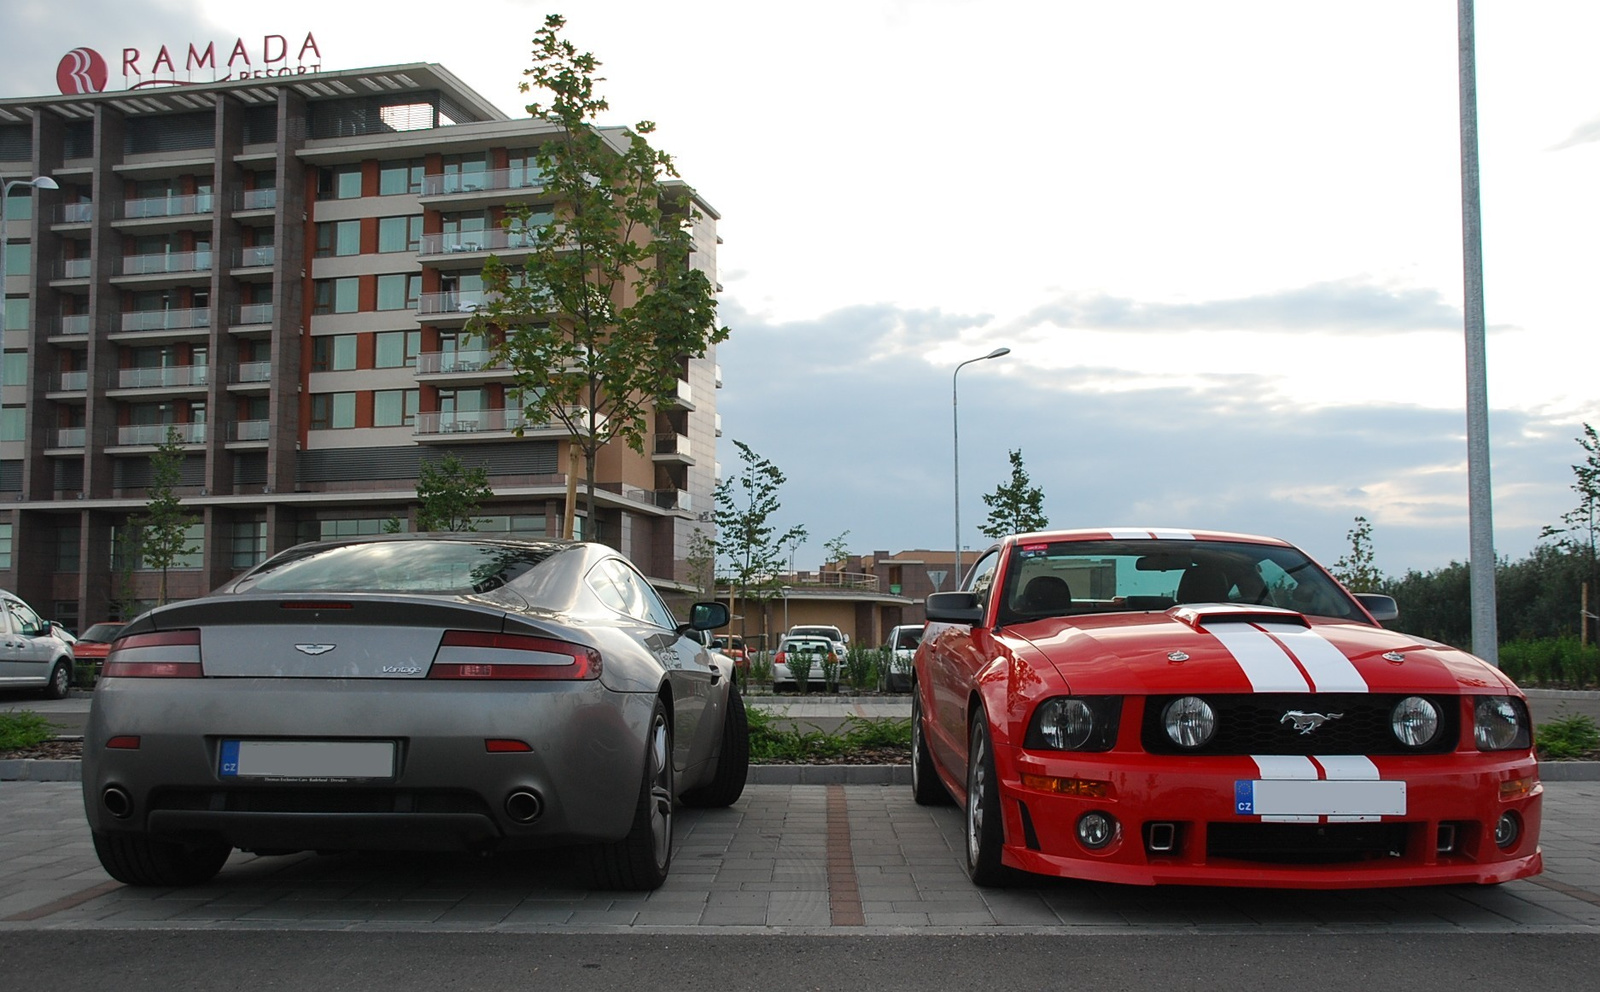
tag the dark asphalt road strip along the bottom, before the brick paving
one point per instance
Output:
(265, 962)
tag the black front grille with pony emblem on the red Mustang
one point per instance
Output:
(1257, 724)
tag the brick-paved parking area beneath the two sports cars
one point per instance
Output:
(788, 858)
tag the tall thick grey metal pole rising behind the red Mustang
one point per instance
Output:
(1481, 514)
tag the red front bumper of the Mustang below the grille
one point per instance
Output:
(1178, 822)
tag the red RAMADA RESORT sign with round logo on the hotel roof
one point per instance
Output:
(86, 71)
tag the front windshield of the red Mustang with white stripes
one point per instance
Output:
(1070, 578)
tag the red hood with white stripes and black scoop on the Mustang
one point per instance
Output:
(1244, 650)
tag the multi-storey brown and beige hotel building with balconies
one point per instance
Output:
(282, 271)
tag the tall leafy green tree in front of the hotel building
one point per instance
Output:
(601, 318)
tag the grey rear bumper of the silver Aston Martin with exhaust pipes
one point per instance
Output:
(447, 791)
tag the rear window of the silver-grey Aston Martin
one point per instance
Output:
(418, 567)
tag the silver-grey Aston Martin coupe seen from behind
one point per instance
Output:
(417, 692)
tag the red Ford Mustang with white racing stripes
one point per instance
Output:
(1212, 710)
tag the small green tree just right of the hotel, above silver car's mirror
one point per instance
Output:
(751, 545)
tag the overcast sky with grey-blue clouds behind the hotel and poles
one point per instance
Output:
(1223, 241)
